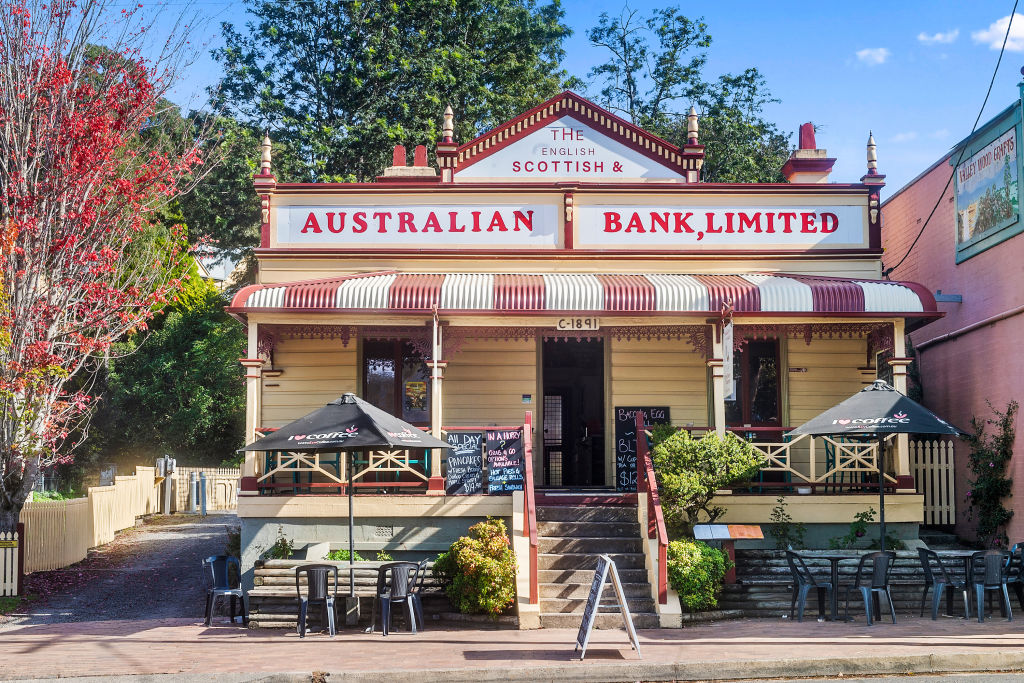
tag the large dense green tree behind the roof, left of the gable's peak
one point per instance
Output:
(345, 81)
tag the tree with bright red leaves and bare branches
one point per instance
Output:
(83, 260)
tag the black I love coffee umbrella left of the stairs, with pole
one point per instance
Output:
(348, 424)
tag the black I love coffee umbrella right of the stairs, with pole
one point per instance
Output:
(877, 411)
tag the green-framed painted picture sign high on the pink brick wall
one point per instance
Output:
(987, 189)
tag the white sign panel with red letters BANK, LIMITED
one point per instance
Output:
(720, 228)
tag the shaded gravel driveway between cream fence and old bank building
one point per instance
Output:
(152, 572)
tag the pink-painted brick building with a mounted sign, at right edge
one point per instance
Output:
(972, 253)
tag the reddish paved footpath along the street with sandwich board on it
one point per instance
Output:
(739, 650)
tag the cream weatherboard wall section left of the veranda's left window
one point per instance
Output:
(316, 372)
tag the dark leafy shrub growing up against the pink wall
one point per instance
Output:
(991, 486)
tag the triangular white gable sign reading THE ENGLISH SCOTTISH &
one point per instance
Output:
(568, 149)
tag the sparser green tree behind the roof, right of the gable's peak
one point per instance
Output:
(656, 69)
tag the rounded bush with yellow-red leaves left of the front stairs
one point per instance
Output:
(479, 571)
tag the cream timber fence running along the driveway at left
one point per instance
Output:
(59, 534)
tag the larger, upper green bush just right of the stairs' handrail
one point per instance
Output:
(690, 472)
